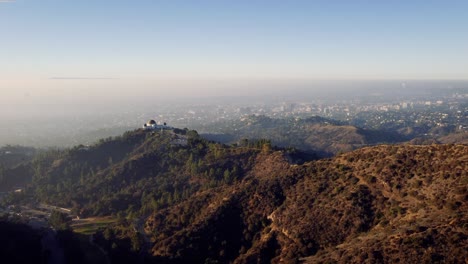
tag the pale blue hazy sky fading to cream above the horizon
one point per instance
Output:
(67, 49)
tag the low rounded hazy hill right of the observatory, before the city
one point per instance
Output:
(320, 135)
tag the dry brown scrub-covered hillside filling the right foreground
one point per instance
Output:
(383, 204)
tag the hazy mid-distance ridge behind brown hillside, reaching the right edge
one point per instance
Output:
(323, 136)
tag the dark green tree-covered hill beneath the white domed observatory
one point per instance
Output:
(138, 172)
